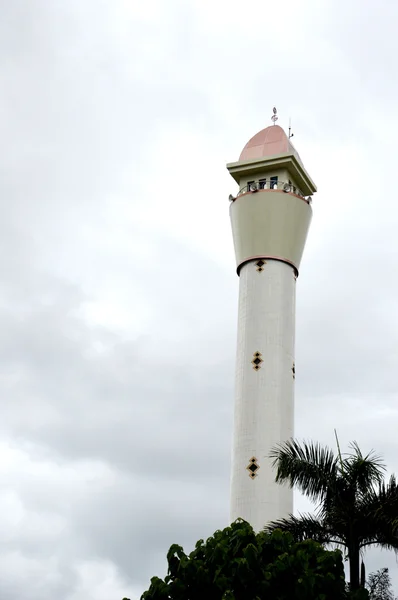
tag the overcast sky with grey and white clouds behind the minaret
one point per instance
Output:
(118, 295)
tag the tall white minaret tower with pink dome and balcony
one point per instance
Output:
(270, 219)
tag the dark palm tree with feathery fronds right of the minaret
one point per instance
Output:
(355, 507)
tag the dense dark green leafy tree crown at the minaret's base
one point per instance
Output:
(237, 564)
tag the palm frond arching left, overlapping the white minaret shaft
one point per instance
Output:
(308, 466)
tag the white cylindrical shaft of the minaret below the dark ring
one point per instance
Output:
(264, 401)
